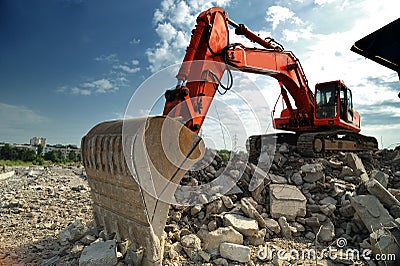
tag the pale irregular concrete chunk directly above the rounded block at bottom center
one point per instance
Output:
(212, 240)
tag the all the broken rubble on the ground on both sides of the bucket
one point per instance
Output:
(344, 201)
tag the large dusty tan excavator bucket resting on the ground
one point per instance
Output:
(134, 167)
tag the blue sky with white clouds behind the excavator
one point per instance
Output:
(67, 65)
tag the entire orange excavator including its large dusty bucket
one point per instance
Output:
(134, 166)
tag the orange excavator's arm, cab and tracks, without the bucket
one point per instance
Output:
(322, 122)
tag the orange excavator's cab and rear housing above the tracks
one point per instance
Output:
(334, 106)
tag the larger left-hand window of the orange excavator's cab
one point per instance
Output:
(326, 100)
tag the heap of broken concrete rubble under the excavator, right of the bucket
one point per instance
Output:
(299, 203)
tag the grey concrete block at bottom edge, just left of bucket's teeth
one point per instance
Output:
(99, 253)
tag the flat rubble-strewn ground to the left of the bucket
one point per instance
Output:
(37, 204)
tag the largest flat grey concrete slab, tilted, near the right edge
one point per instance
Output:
(371, 212)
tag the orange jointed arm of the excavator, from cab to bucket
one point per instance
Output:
(209, 55)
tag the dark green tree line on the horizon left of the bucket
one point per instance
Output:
(8, 152)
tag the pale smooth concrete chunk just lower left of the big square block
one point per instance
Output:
(244, 225)
